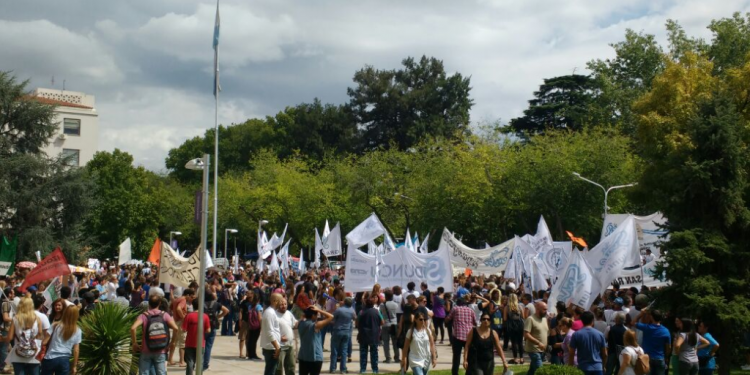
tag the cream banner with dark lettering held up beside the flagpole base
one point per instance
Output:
(179, 271)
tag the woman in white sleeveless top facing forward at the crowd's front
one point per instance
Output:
(419, 347)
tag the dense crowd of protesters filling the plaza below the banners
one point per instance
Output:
(284, 322)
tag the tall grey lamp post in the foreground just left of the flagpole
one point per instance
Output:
(201, 164)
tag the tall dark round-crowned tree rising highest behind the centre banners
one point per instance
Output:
(403, 107)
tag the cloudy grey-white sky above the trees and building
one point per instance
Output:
(149, 63)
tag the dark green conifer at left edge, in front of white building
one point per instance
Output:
(42, 200)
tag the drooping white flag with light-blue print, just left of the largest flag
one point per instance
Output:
(574, 284)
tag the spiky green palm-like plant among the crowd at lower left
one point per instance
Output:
(105, 348)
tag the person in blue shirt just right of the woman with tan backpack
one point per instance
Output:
(656, 339)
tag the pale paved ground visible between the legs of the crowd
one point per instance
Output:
(224, 359)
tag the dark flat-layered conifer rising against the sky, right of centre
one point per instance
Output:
(560, 103)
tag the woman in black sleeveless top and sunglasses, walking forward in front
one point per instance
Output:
(481, 344)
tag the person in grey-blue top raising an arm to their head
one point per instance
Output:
(311, 346)
